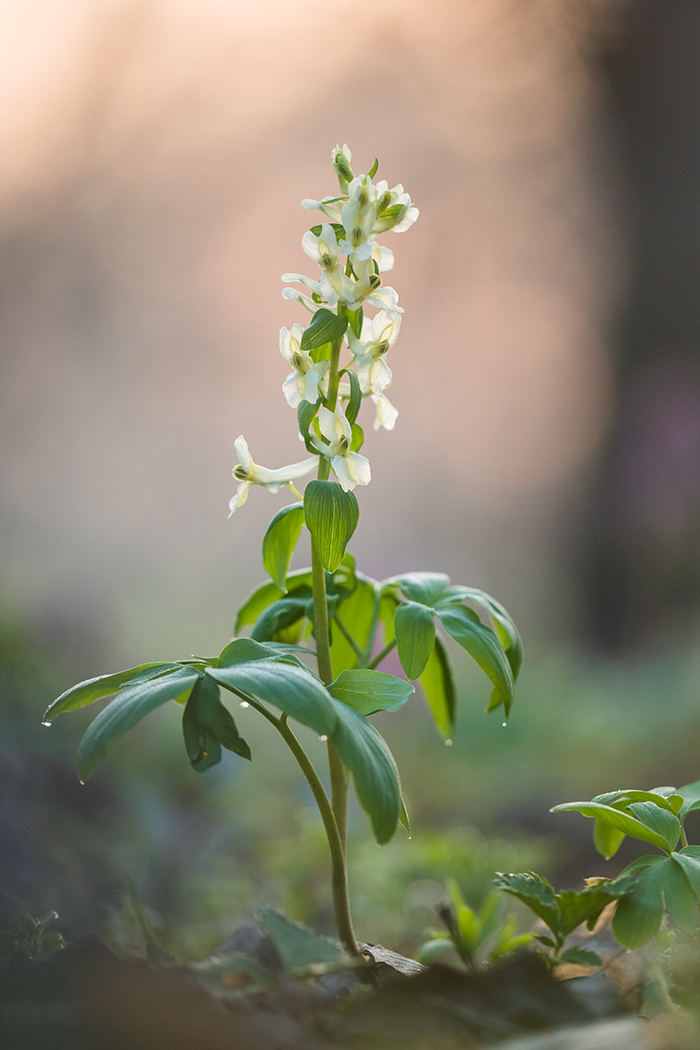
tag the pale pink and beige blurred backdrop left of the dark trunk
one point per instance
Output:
(154, 159)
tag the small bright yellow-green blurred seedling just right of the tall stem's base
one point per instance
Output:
(481, 938)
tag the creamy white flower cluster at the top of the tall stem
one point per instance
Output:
(352, 265)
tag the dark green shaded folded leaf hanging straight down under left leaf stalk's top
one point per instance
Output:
(208, 726)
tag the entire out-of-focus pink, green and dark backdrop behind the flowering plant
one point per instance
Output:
(155, 154)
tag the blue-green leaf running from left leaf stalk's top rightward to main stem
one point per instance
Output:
(289, 687)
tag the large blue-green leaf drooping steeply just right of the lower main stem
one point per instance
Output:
(367, 755)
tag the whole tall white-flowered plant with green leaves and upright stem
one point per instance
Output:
(331, 614)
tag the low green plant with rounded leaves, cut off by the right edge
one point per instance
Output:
(666, 881)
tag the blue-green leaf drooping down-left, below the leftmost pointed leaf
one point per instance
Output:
(125, 711)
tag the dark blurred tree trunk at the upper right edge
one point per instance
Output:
(643, 555)
